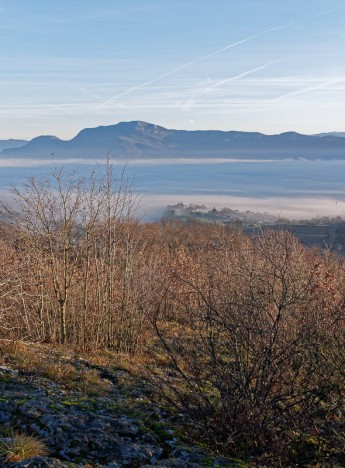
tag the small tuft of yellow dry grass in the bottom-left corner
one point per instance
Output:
(20, 446)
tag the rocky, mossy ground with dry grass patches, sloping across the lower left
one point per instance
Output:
(89, 414)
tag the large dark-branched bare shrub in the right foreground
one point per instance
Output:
(250, 350)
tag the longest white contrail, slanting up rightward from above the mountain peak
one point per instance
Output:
(188, 64)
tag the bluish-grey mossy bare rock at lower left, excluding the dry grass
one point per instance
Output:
(80, 430)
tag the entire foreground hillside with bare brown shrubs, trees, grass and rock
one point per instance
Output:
(161, 344)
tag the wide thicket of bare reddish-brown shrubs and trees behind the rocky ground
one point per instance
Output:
(246, 334)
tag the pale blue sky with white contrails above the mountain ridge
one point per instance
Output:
(252, 65)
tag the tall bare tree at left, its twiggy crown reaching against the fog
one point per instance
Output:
(59, 219)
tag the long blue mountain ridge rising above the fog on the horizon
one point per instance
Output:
(133, 140)
